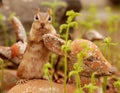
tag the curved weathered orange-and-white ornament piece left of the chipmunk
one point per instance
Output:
(14, 53)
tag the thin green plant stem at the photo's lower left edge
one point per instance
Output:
(2, 76)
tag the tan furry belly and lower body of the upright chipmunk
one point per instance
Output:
(35, 57)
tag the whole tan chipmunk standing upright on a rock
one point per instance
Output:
(36, 54)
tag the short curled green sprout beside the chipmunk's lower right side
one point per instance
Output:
(47, 73)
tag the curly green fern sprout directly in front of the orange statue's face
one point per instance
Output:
(78, 67)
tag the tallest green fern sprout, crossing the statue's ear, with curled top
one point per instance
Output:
(69, 23)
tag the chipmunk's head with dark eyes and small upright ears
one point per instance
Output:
(42, 20)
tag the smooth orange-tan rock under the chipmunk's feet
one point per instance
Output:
(41, 86)
